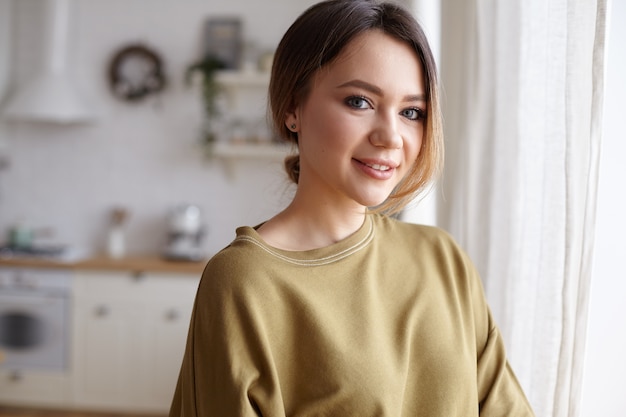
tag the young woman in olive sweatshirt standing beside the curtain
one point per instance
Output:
(332, 308)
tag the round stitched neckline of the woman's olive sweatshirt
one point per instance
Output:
(313, 257)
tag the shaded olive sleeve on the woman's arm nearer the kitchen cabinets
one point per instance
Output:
(225, 369)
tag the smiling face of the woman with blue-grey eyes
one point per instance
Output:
(360, 128)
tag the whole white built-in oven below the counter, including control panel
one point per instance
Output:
(34, 319)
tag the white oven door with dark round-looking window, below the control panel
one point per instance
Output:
(33, 330)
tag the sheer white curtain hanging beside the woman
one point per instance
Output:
(523, 85)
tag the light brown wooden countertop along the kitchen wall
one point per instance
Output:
(133, 263)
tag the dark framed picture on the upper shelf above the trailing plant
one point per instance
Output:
(223, 40)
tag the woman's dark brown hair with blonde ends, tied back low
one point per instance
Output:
(315, 39)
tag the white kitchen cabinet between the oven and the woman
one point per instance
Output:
(130, 334)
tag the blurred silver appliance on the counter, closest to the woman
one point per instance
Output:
(185, 234)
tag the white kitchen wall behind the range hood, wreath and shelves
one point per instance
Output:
(143, 156)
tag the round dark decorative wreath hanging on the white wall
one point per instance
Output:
(136, 72)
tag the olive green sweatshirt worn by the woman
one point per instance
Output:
(391, 321)
